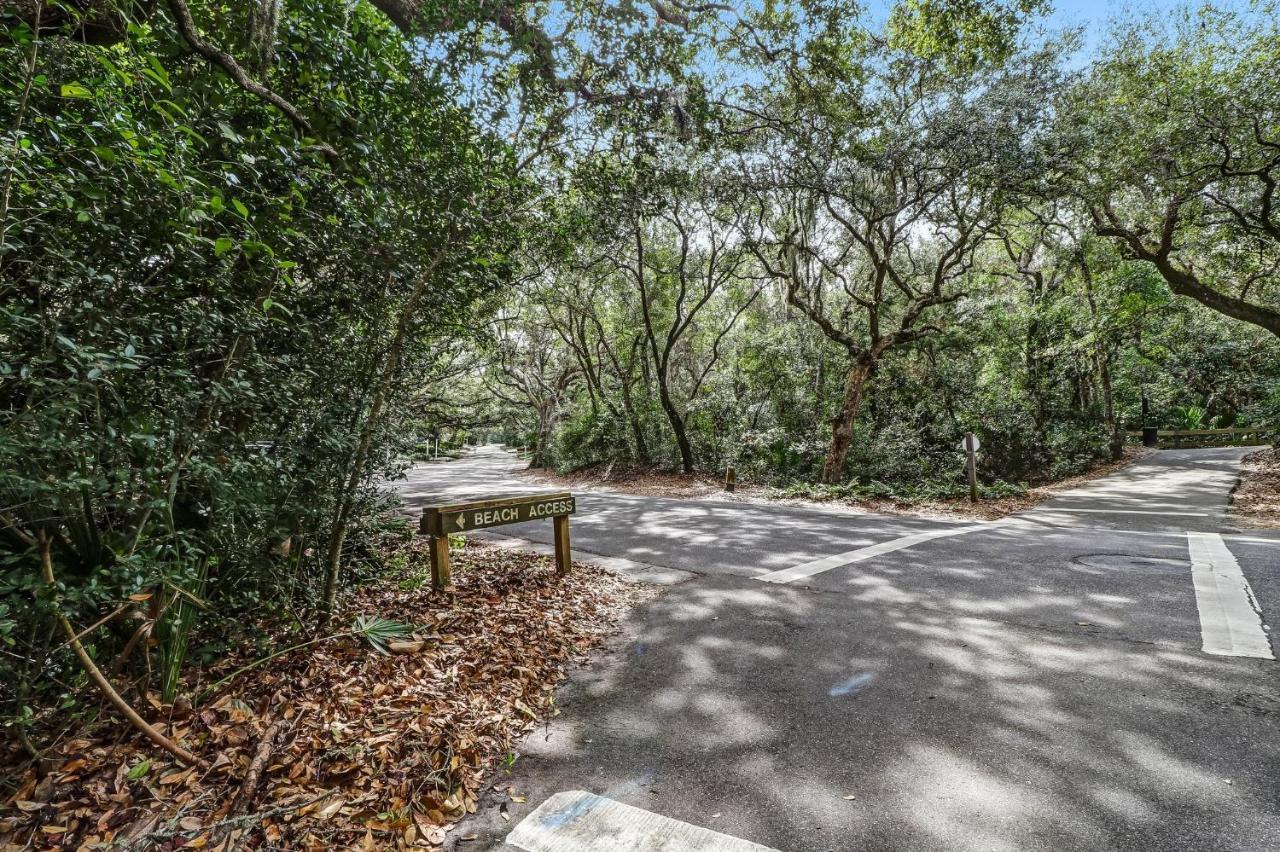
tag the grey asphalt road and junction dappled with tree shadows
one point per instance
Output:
(1090, 675)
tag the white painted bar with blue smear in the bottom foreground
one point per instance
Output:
(579, 822)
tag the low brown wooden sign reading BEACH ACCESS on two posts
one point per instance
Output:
(441, 521)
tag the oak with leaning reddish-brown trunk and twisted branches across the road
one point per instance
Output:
(874, 196)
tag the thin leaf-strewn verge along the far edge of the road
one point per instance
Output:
(700, 487)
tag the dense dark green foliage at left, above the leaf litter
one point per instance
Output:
(194, 304)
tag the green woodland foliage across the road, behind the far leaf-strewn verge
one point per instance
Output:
(1050, 341)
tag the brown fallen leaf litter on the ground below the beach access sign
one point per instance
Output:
(372, 750)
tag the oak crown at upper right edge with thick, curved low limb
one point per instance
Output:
(1173, 143)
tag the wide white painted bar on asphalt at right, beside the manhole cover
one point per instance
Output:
(1231, 622)
